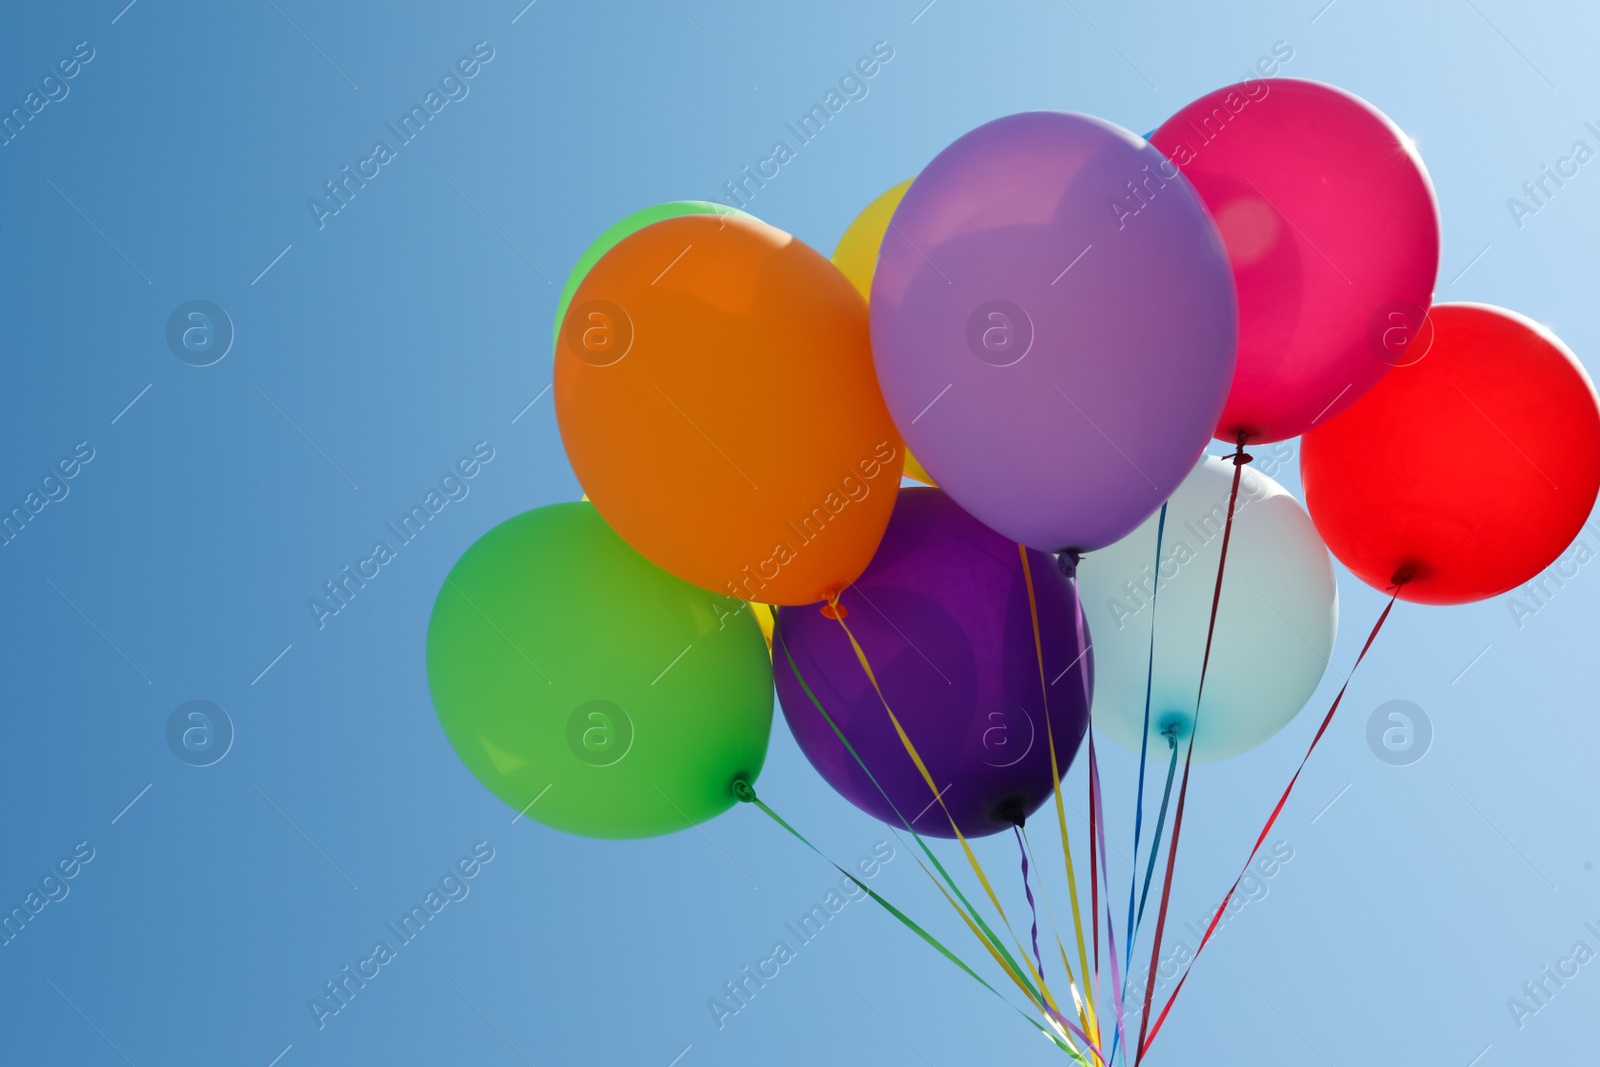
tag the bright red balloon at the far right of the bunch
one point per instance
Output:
(1466, 473)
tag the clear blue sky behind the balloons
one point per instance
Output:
(378, 346)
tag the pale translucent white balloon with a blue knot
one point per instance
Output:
(1274, 625)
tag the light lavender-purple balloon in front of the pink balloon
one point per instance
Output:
(1055, 327)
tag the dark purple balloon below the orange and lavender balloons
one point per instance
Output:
(943, 617)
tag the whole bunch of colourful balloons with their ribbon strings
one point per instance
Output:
(1055, 318)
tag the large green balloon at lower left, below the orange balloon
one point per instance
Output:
(574, 676)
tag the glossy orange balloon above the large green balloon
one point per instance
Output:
(716, 394)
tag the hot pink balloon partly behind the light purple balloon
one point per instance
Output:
(1334, 236)
